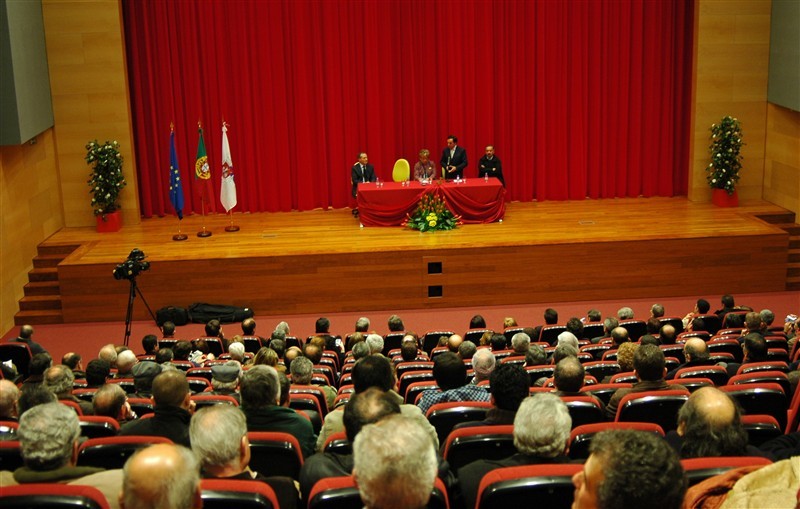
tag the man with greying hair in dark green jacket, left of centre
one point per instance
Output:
(260, 392)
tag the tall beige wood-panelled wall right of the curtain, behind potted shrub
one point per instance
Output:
(732, 58)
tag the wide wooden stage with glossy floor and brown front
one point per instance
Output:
(322, 262)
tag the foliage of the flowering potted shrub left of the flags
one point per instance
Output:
(106, 179)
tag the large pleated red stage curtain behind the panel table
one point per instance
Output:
(580, 98)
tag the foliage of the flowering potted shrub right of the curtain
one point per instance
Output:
(726, 142)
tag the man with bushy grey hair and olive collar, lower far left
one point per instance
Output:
(48, 435)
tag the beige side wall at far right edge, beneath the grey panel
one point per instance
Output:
(782, 162)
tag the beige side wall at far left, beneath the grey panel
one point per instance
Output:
(30, 205)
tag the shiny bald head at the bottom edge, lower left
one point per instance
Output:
(162, 476)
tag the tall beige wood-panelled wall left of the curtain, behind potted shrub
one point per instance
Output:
(89, 87)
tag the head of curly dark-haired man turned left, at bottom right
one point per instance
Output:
(629, 469)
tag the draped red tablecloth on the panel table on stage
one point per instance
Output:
(476, 200)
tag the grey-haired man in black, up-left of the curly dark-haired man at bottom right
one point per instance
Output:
(541, 435)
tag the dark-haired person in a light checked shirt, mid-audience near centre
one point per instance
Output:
(451, 376)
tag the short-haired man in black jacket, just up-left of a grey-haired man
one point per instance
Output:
(173, 410)
